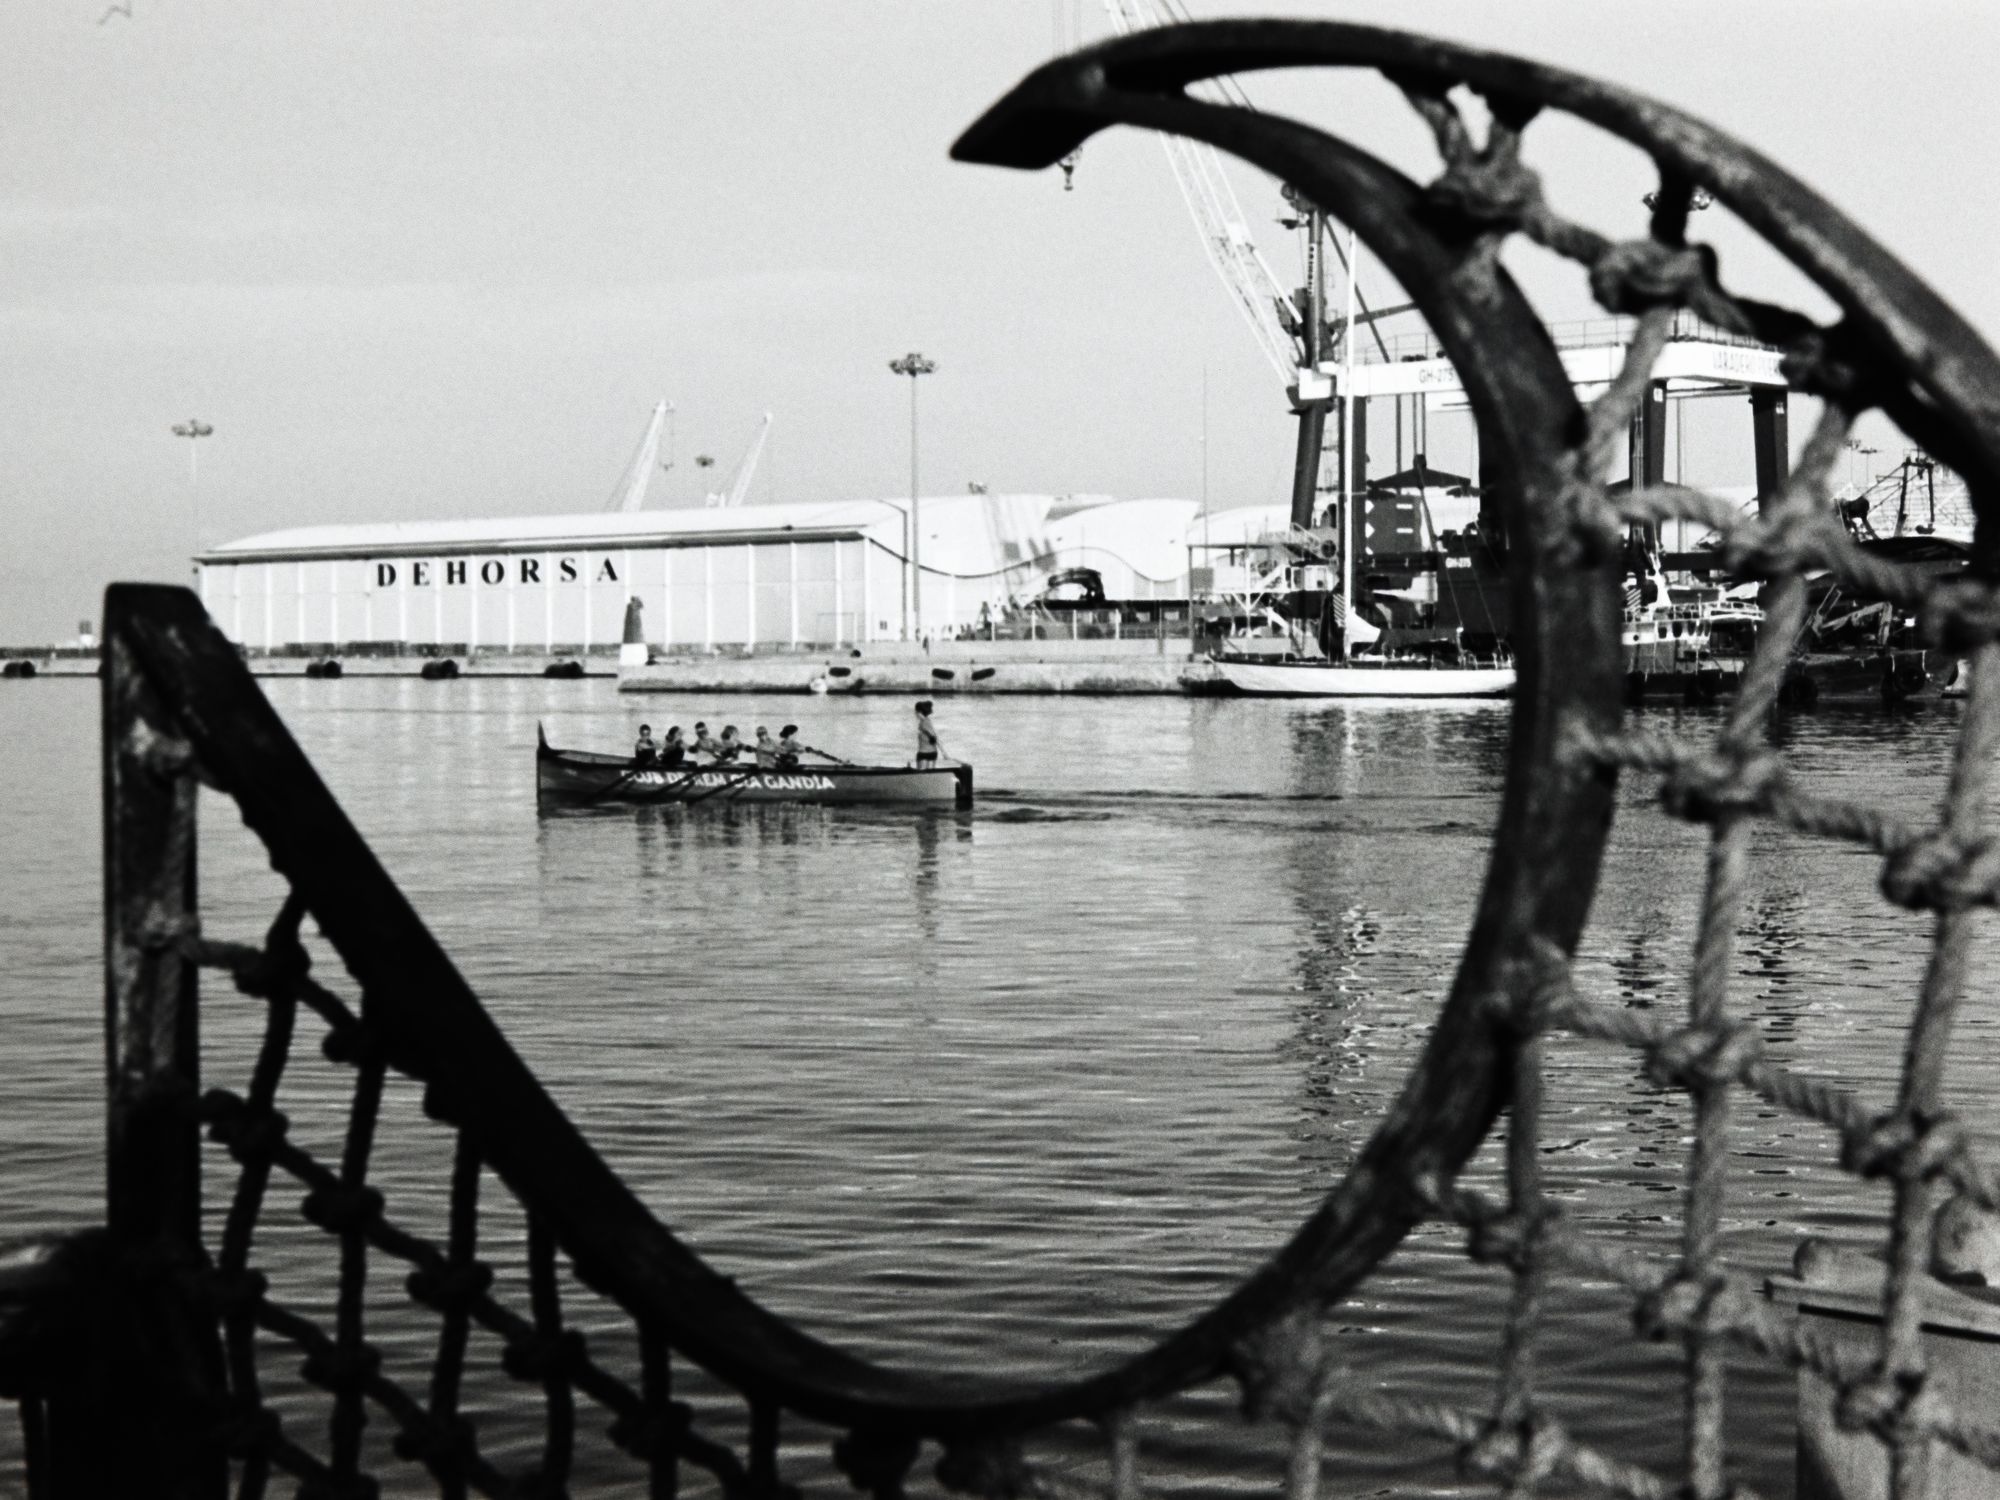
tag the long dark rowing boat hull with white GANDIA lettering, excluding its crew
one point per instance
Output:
(585, 777)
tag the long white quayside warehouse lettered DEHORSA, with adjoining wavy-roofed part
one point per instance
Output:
(747, 577)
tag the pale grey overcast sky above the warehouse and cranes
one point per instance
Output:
(441, 259)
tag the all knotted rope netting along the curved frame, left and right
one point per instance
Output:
(1093, 1439)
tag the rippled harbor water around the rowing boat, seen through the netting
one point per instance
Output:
(1021, 1089)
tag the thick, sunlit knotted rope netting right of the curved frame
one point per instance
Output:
(1949, 869)
